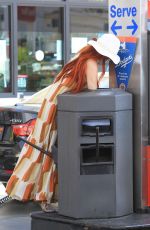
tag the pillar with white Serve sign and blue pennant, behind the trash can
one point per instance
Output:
(128, 21)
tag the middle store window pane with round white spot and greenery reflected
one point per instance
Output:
(39, 46)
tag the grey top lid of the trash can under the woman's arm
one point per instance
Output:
(96, 100)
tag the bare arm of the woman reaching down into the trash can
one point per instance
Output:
(92, 74)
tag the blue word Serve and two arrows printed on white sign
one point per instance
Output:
(122, 13)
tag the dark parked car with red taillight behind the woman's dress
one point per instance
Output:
(15, 121)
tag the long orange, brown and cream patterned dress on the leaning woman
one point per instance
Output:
(35, 175)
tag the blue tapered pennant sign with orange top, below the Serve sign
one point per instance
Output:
(126, 53)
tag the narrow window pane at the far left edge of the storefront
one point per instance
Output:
(5, 81)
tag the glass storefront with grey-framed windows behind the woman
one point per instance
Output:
(38, 38)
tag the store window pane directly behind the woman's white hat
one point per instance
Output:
(88, 23)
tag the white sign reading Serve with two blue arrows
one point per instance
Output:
(124, 17)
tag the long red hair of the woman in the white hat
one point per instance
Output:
(75, 70)
